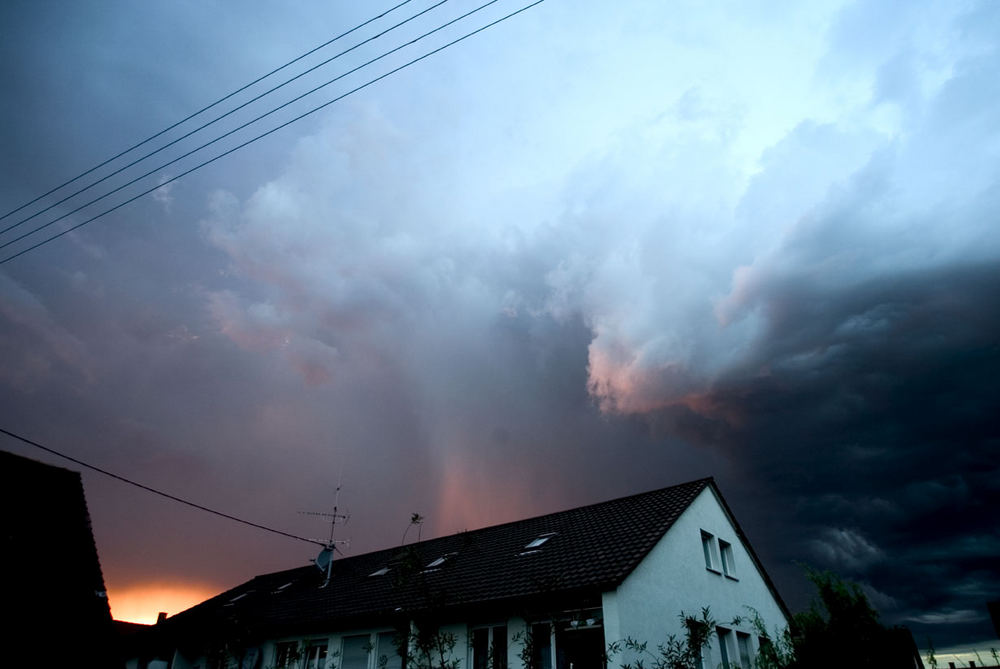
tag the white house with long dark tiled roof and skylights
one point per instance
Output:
(549, 592)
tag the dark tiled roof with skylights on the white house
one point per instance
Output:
(591, 549)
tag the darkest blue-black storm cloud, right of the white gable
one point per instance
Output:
(885, 438)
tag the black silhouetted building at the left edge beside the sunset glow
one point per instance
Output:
(54, 580)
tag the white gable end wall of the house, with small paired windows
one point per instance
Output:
(673, 578)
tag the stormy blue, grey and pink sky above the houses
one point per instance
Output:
(596, 249)
